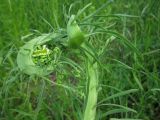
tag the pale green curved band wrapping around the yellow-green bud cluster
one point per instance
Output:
(24, 57)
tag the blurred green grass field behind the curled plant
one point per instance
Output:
(129, 79)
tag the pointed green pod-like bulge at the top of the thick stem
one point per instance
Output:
(75, 35)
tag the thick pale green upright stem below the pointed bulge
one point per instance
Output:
(92, 69)
